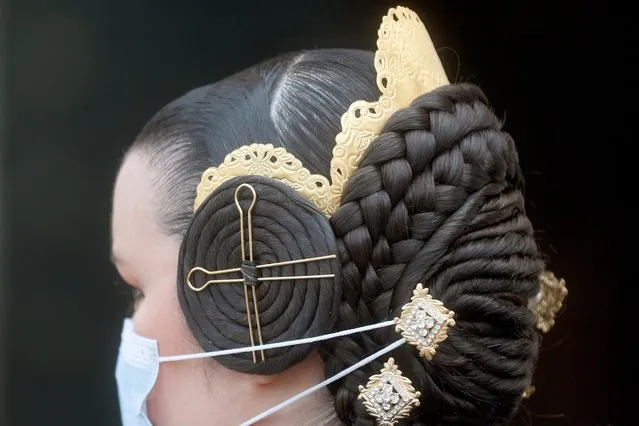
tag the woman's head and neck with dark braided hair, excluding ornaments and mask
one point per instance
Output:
(437, 199)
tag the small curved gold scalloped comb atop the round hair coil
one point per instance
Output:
(266, 160)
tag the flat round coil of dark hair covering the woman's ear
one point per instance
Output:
(285, 227)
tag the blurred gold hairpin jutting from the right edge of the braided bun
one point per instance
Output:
(549, 300)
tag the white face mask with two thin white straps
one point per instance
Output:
(139, 361)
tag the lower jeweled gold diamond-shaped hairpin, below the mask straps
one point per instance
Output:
(389, 396)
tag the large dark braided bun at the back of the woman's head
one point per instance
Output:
(438, 199)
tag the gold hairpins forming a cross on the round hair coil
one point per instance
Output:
(249, 269)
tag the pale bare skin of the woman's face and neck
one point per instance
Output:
(193, 392)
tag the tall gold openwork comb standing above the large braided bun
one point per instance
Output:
(407, 66)
